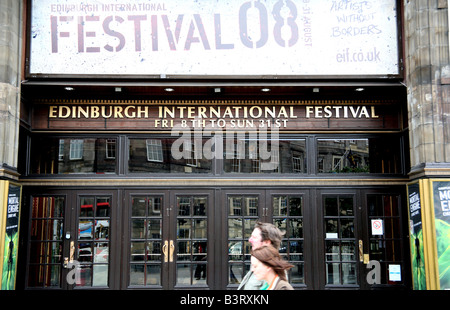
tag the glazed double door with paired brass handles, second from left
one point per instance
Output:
(169, 237)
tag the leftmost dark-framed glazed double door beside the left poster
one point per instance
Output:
(71, 240)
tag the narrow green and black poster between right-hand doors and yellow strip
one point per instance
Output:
(416, 237)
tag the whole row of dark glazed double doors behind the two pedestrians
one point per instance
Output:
(198, 238)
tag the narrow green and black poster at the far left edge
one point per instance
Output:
(11, 238)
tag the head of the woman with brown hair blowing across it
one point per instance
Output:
(266, 258)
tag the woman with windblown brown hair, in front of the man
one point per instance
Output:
(267, 265)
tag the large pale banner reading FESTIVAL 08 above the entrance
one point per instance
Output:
(204, 38)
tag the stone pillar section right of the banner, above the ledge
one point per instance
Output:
(427, 75)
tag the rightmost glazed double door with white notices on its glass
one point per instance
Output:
(362, 240)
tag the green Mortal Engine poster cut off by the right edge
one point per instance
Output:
(441, 198)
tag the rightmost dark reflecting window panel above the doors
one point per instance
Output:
(371, 155)
